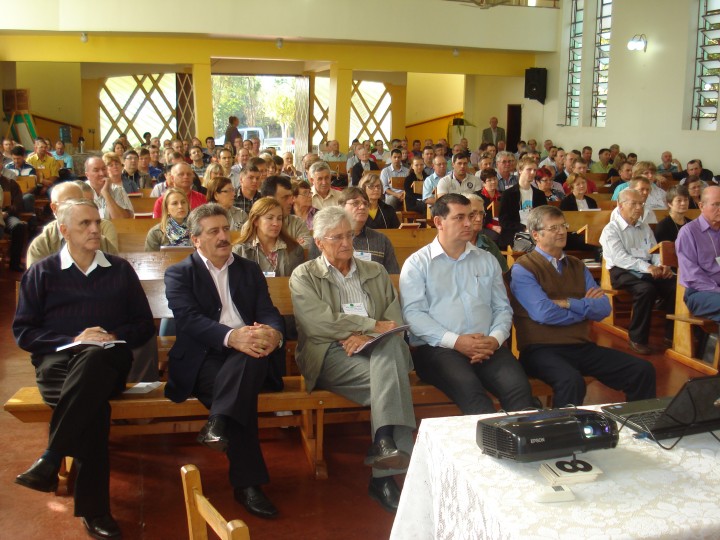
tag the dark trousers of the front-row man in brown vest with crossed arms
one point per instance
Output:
(564, 366)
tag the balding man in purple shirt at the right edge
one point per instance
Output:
(698, 250)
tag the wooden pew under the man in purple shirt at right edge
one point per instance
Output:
(684, 347)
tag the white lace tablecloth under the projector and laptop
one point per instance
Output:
(453, 491)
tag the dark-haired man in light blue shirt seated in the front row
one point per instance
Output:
(454, 300)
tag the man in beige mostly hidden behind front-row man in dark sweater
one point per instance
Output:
(50, 240)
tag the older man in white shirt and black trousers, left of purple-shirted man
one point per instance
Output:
(626, 242)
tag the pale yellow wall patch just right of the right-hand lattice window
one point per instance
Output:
(432, 95)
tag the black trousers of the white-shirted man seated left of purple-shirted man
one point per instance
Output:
(645, 290)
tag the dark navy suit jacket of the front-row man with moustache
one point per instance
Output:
(195, 303)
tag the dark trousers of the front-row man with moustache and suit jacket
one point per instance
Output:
(228, 384)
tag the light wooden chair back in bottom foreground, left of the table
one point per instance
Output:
(201, 512)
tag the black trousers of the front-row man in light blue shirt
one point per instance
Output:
(467, 384)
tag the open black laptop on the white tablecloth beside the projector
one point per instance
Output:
(695, 409)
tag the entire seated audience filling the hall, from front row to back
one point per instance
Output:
(251, 215)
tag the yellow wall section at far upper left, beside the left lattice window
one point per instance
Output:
(55, 90)
